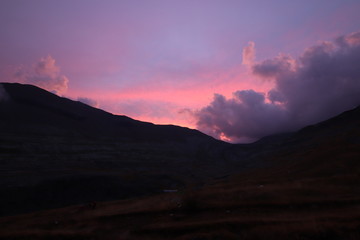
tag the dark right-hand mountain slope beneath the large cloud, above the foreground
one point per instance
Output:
(329, 148)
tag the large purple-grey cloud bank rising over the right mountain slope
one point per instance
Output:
(321, 83)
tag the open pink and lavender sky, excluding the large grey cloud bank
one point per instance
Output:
(158, 60)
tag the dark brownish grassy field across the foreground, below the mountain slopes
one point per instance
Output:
(318, 208)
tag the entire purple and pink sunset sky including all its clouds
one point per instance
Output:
(236, 70)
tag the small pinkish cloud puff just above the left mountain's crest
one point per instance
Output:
(44, 74)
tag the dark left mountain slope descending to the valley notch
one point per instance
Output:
(56, 152)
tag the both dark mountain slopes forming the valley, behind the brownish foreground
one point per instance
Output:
(56, 152)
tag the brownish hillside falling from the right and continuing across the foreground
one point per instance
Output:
(306, 186)
